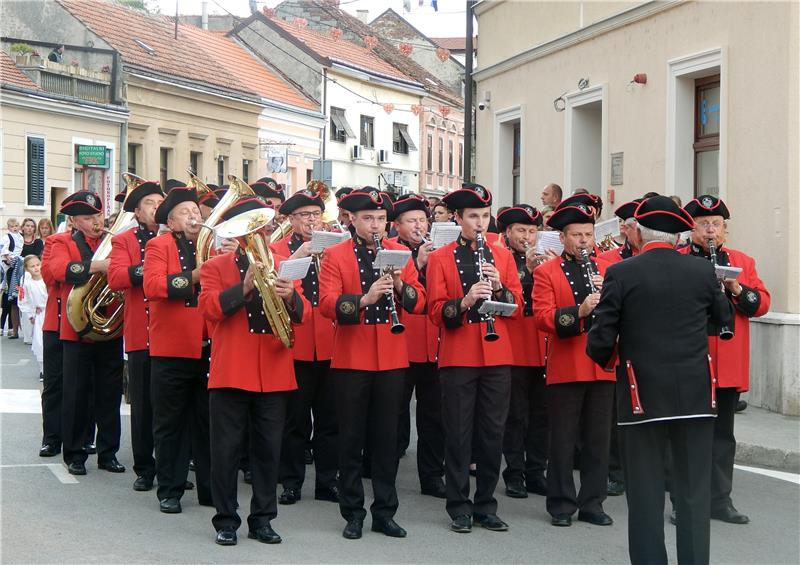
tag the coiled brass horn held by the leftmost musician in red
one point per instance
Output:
(86, 303)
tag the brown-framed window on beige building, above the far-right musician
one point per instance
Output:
(706, 135)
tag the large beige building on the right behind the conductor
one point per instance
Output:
(681, 98)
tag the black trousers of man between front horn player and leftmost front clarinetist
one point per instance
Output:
(315, 395)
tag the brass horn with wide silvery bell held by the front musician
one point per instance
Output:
(243, 228)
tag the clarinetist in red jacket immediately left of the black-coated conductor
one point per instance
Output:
(579, 394)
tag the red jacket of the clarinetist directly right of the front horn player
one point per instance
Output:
(356, 344)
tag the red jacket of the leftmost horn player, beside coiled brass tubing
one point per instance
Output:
(68, 268)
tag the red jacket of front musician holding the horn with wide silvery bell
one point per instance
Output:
(242, 358)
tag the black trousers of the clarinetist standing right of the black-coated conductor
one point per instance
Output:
(724, 448)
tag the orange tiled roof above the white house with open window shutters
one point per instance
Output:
(341, 51)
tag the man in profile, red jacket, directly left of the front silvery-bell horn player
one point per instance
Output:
(179, 351)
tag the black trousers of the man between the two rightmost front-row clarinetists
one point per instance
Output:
(526, 435)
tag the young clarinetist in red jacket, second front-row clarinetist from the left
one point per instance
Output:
(475, 374)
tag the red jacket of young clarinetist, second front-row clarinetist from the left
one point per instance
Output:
(462, 343)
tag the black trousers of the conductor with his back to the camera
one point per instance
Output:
(643, 449)
